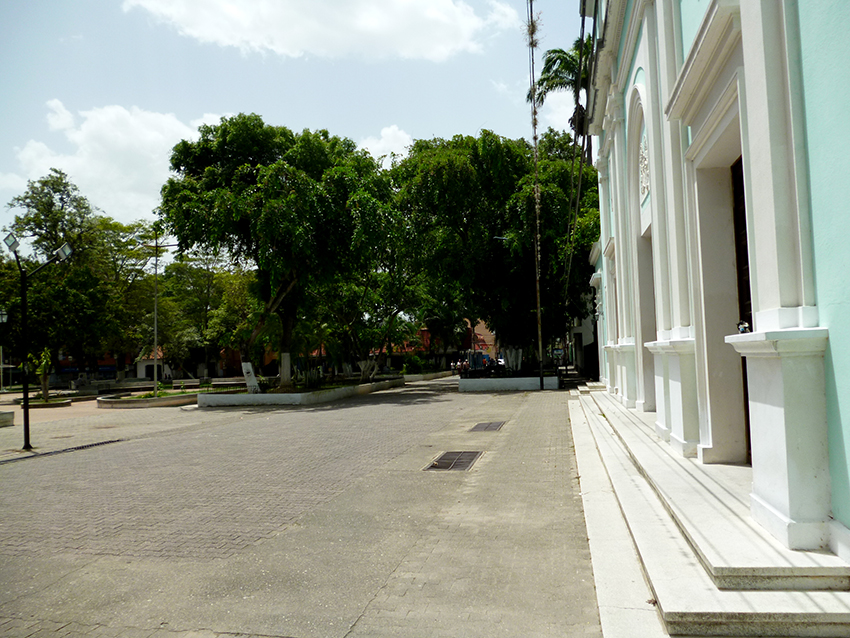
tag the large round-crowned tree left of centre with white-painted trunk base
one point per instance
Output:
(262, 194)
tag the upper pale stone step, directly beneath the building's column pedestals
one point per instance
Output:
(710, 505)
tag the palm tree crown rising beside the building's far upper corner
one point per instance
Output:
(561, 73)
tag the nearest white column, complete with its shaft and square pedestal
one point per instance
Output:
(785, 365)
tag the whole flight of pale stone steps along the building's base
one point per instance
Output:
(711, 570)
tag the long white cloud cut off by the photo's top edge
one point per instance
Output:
(431, 29)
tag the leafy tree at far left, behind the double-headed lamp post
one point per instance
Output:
(81, 306)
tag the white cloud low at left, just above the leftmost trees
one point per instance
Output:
(119, 159)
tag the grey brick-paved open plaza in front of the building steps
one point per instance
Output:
(297, 521)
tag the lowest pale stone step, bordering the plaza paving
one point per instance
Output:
(688, 600)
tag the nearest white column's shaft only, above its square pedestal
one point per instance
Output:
(779, 216)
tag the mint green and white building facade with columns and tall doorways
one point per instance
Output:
(721, 281)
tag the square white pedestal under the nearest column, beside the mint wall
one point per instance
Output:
(791, 485)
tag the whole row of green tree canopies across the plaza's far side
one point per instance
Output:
(301, 243)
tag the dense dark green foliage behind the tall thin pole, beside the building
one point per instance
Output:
(471, 202)
